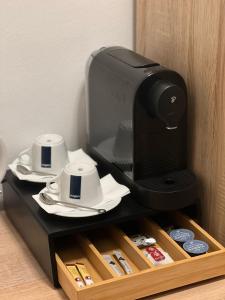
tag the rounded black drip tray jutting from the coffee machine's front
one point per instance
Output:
(172, 191)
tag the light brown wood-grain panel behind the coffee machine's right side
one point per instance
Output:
(189, 37)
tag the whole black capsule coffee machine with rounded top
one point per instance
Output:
(137, 127)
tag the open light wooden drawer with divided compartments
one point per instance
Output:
(146, 279)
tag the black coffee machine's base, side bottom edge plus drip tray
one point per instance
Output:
(173, 191)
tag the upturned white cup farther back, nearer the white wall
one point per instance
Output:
(48, 154)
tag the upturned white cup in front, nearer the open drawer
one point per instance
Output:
(78, 183)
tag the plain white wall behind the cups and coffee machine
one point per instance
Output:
(44, 45)
